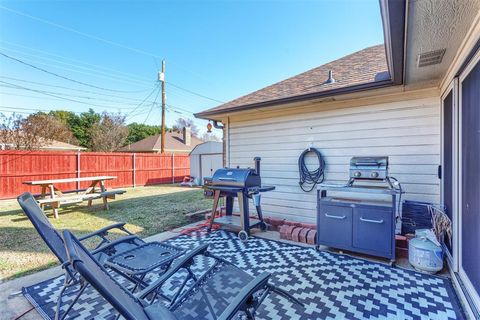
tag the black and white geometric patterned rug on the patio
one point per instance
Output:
(331, 286)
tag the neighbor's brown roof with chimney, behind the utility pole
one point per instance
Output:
(173, 143)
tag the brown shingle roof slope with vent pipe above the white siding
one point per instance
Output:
(364, 66)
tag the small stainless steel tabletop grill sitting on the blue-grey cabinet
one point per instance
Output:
(369, 168)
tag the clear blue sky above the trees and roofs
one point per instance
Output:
(105, 55)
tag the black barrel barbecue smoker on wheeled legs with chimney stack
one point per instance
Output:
(243, 184)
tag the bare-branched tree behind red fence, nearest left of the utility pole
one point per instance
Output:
(109, 134)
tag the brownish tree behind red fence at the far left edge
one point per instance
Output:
(32, 132)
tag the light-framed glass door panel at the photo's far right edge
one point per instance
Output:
(469, 178)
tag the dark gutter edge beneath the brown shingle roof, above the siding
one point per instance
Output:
(306, 97)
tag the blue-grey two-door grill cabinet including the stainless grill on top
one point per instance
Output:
(366, 219)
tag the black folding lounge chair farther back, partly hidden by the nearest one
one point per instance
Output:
(54, 241)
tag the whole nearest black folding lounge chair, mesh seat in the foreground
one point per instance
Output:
(222, 292)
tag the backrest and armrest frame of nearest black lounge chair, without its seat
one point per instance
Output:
(136, 306)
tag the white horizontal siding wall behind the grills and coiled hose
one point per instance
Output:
(408, 132)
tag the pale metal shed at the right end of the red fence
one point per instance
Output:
(205, 158)
